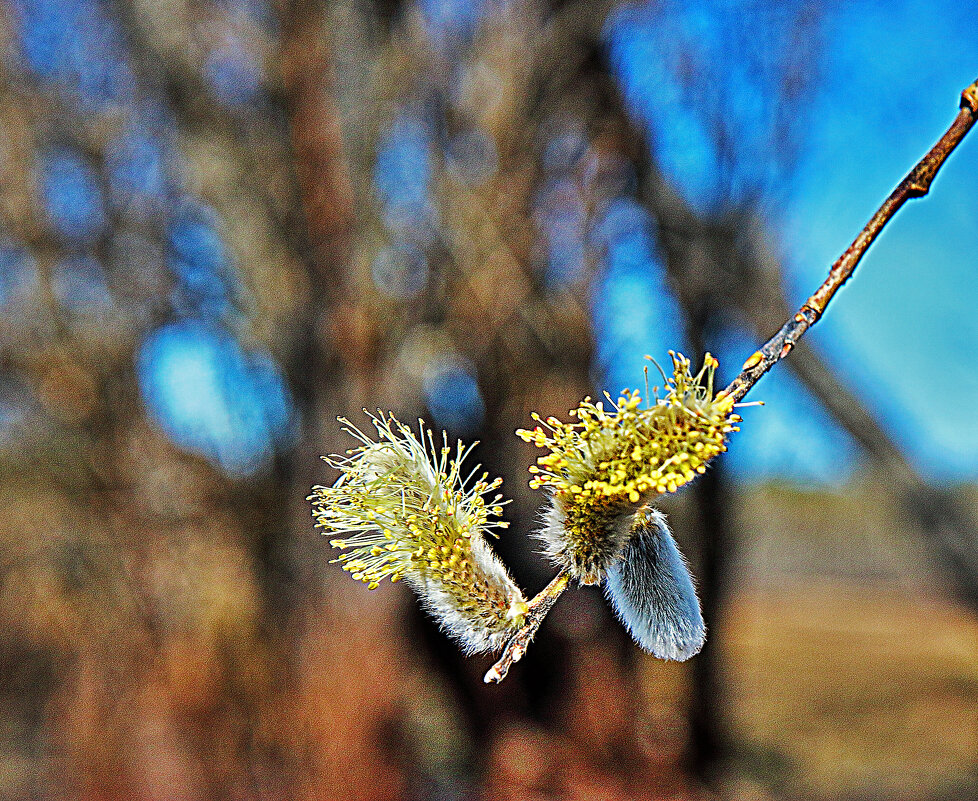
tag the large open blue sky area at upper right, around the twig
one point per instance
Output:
(902, 331)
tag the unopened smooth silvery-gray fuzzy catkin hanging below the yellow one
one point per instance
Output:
(653, 594)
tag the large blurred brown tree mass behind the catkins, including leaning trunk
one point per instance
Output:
(224, 224)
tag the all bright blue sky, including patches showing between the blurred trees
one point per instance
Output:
(901, 333)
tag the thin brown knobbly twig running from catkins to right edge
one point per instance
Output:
(916, 184)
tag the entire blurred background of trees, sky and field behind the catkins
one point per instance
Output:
(225, 222)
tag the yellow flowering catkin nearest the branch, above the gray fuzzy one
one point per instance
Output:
(603, 468)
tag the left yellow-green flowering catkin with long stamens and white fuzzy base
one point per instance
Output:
(401, 509)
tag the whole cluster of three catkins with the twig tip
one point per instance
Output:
(400, 508)
